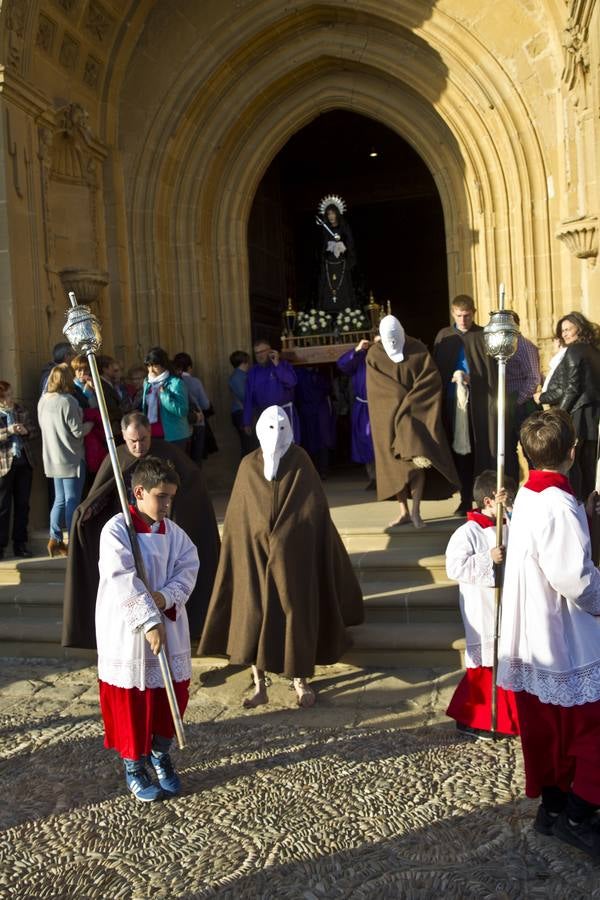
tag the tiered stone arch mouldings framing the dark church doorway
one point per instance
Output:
(192, 184)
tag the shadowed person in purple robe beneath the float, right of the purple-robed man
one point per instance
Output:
(317, 418)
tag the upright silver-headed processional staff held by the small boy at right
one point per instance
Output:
(501, 335)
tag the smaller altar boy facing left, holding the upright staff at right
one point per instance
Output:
(470, 558)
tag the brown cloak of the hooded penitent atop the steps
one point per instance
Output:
(405, 408)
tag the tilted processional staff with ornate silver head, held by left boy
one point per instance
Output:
(83, 333)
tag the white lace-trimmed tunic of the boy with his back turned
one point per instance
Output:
(550, 635)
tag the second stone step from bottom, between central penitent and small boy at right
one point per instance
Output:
(386, 602)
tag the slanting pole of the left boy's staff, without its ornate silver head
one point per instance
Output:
(139, 562)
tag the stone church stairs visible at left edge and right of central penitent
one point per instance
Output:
(411, 609)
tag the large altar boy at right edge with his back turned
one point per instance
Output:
(550, 637)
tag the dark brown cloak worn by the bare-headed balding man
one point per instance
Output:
(192, 510)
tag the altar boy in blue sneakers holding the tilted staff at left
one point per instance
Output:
(130, 630)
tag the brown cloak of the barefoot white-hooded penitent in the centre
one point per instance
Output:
(285, 588)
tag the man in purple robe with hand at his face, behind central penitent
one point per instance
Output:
(271, 382)
